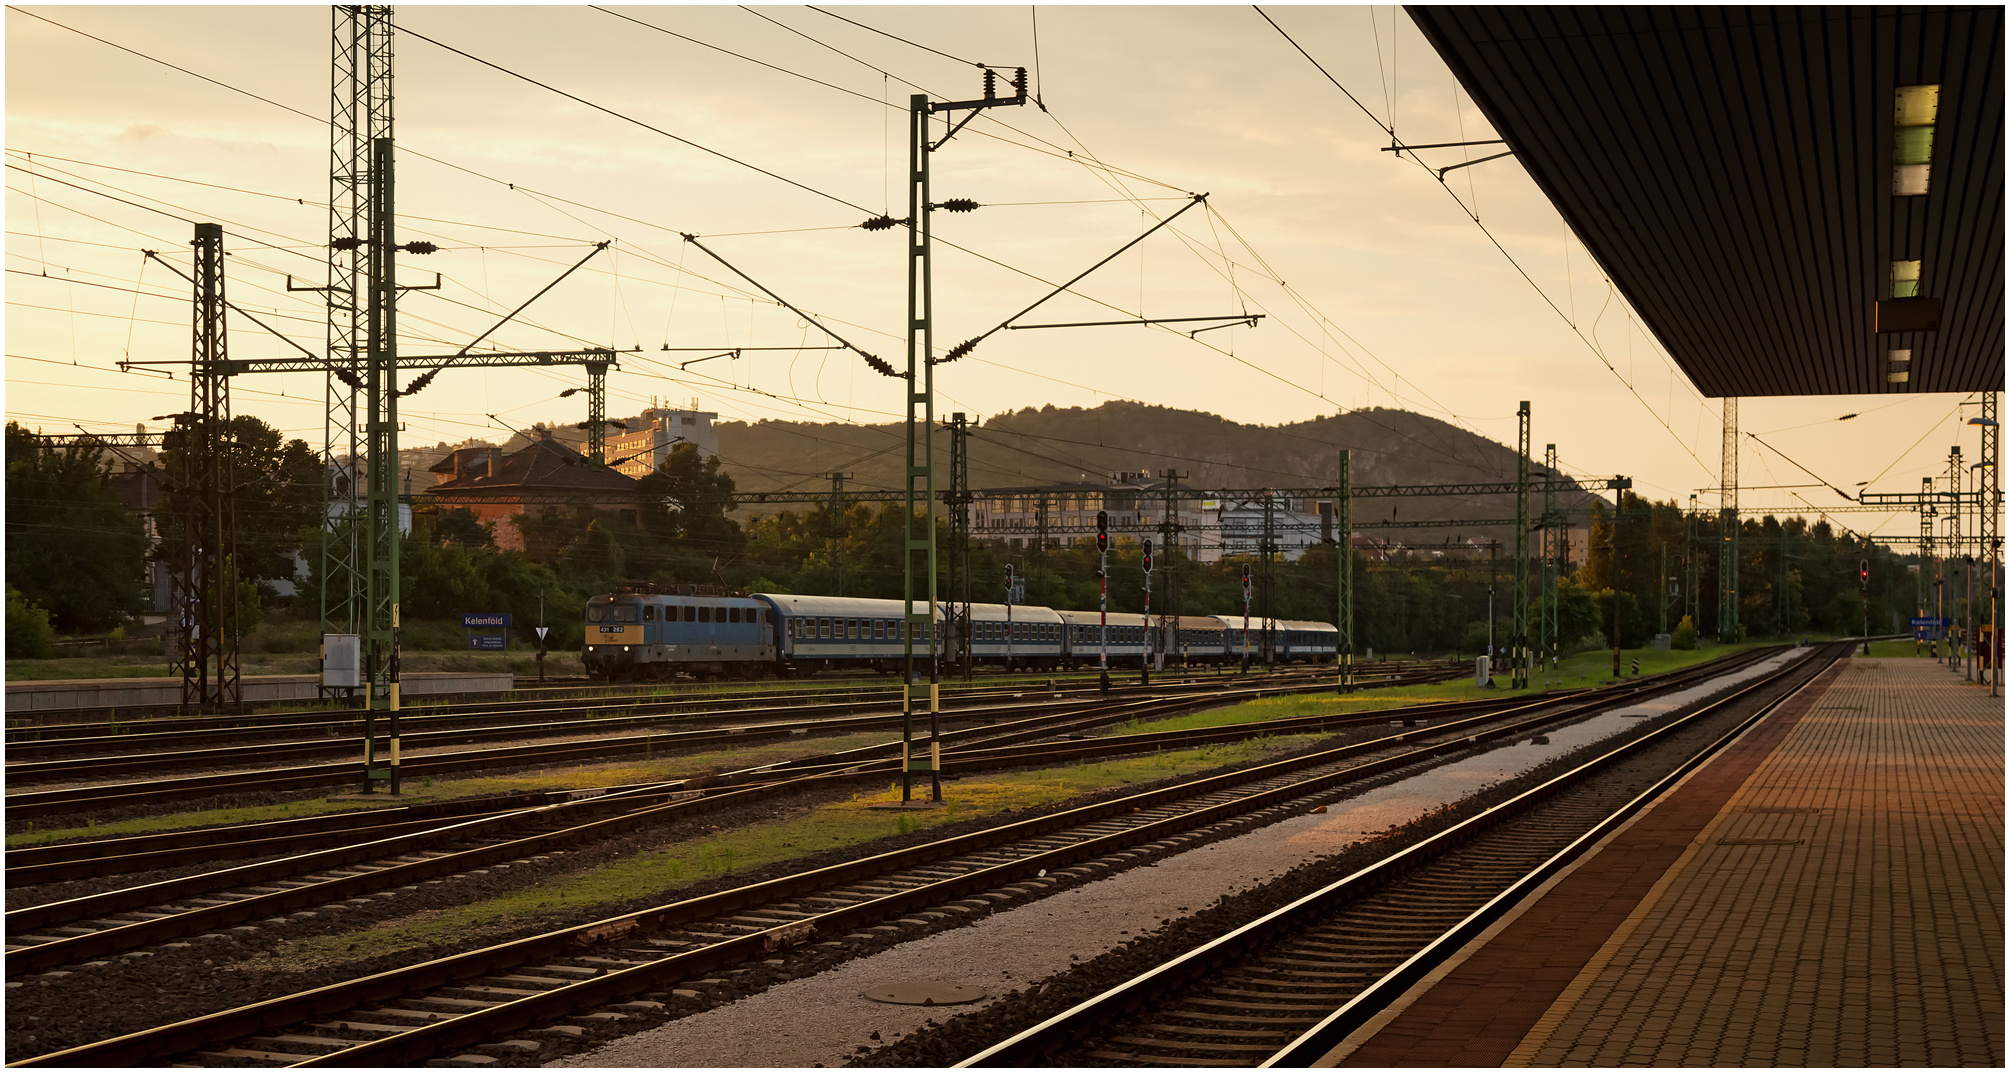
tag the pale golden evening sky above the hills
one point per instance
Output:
(530, 134)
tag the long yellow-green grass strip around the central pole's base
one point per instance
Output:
(662, 873)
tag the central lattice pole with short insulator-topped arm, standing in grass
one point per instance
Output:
(920, 542)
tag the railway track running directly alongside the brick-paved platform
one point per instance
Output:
(1289, 988)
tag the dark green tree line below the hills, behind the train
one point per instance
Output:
(77, 560)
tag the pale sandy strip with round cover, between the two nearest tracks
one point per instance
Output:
(825, 1020)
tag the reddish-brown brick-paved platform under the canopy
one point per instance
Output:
(1830, 891)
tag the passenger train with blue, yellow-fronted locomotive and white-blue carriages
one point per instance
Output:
(652, 636)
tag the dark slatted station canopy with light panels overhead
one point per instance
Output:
(1800, 202)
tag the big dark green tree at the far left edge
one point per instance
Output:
(71, 546)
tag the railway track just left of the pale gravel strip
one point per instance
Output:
(459, 1002)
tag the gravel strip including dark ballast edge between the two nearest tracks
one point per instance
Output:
(1044, 957)
